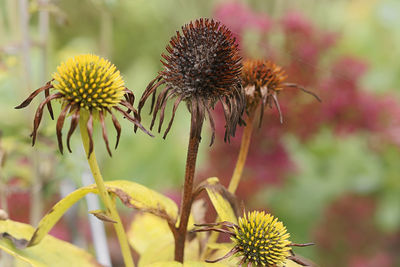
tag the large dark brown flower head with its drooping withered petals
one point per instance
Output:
(202, 67)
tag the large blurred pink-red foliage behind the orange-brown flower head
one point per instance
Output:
(346, 106)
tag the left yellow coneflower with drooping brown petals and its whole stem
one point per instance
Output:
(89, 86)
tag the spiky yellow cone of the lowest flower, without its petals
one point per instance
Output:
(262, 240)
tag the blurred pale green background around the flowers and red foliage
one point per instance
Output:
(133, 34)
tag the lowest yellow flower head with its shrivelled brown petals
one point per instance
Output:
(259, 239)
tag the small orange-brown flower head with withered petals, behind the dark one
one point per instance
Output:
(262, 81)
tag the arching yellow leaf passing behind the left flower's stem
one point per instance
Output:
(131, 194)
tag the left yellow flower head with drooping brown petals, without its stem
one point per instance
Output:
(86, 84)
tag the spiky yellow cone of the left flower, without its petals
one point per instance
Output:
(90, 81)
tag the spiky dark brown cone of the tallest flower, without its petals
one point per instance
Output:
(202, 61)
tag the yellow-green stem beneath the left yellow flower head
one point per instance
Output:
(111, 209)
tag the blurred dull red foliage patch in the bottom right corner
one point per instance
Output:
(353, 239)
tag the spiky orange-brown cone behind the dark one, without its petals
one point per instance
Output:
(259, 77)
